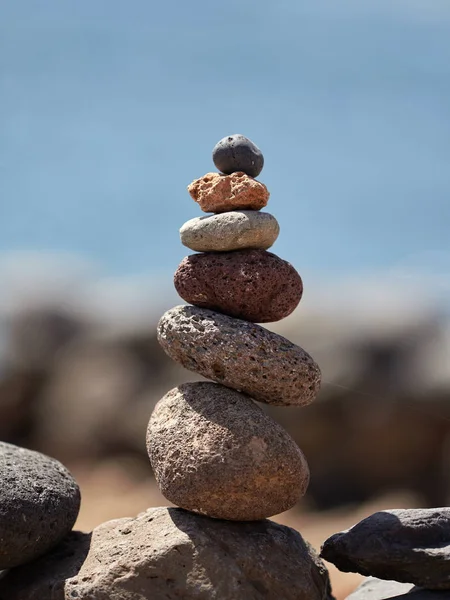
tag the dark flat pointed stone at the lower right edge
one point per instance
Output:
(410, 545)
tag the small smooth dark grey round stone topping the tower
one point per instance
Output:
(237, 153)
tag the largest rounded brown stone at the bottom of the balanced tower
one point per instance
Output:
(214, 451)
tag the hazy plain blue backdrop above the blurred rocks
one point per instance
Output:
(109, 109)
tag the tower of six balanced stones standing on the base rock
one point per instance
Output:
(213, 450)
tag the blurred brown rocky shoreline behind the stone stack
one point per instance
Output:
(79, 377)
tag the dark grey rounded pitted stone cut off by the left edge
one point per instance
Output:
(39, 503)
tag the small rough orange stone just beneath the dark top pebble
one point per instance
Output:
(221, 193)
